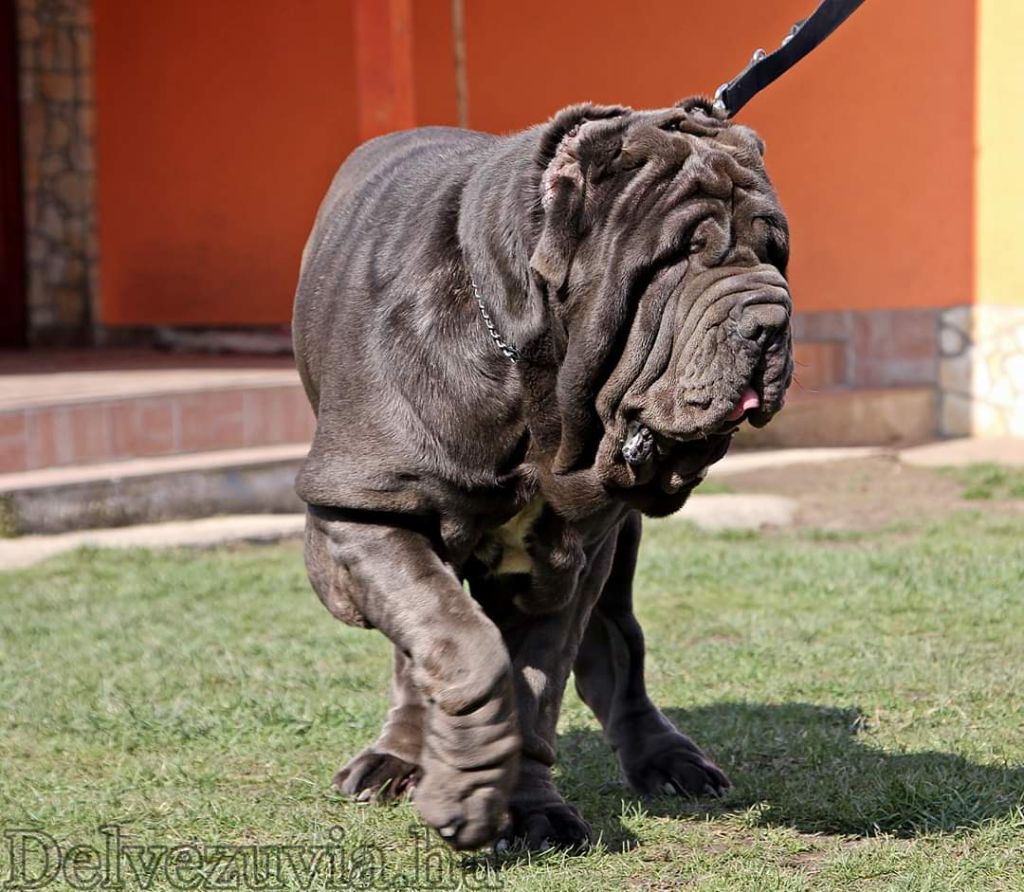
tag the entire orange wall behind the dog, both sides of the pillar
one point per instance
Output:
(221, 123)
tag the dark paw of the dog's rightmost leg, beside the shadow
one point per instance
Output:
(673, 766)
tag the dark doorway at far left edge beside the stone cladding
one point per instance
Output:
(14, 310)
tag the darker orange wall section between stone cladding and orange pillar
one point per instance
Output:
(221, 123)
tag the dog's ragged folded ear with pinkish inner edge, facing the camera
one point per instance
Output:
(574, 144)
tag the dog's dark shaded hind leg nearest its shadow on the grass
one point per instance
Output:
(655, 756)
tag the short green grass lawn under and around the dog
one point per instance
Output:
(865, 695)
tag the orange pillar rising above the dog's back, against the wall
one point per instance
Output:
(385, 66)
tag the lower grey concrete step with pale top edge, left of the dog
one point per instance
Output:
(146, 491)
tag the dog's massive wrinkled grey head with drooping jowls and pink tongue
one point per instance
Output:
(662, 250)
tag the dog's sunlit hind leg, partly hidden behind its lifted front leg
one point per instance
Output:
(391, 768)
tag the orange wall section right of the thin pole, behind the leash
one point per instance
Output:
(870, 140)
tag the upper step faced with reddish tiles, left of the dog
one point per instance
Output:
(91, 417)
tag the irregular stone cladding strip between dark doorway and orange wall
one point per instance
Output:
(58, 121)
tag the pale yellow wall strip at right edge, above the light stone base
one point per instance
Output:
(1000, 154)
